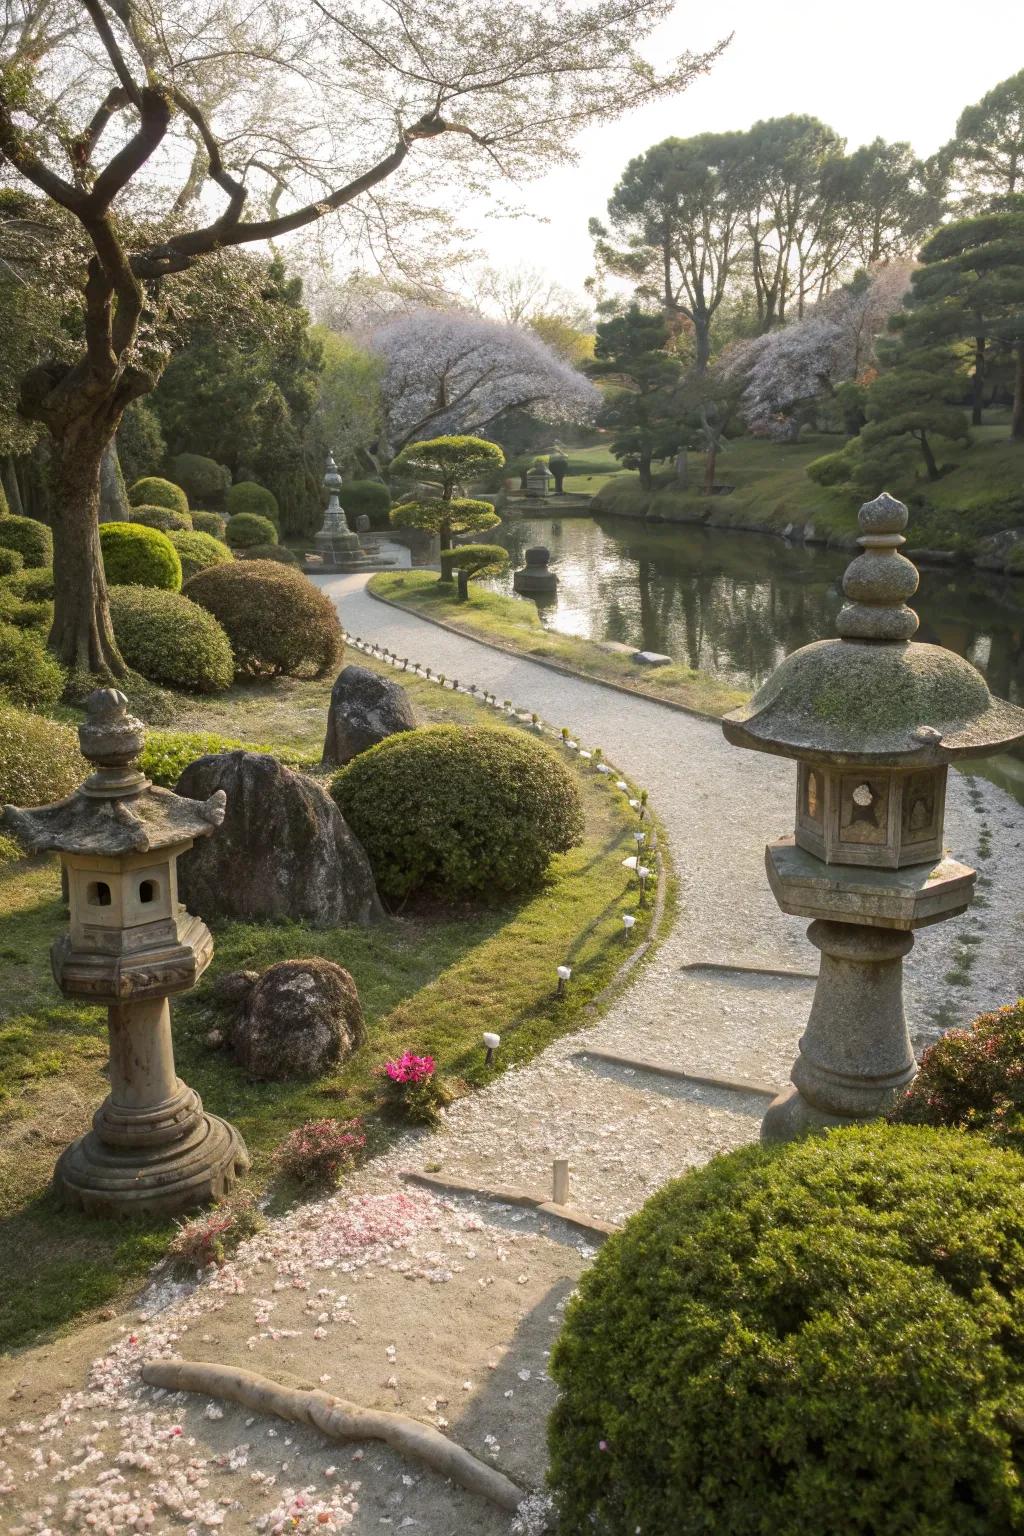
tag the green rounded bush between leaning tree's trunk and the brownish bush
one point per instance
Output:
(171, 640)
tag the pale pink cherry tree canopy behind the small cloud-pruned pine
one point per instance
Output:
(454, 372)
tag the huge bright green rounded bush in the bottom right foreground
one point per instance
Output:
(825, 1337)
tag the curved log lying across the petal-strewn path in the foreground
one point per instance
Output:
(339, 1420)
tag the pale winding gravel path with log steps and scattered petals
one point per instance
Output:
(412, 1297)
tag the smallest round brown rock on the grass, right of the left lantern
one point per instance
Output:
(299, 1019)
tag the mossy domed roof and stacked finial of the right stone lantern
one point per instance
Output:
(876, 697)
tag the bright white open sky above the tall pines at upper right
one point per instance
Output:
(902, 70)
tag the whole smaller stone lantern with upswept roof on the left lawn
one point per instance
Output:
(133, 945)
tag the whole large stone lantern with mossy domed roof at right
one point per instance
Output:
(873, 721)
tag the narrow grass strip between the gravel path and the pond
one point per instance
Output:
(514, 624)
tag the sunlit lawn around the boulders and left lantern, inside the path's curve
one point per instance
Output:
(428, 984)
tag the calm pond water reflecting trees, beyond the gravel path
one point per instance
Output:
(735, 604)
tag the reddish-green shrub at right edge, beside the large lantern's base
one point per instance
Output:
(974, 1079)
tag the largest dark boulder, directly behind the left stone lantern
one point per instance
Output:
(285, 849)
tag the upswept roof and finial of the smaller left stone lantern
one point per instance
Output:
(117, 810)
